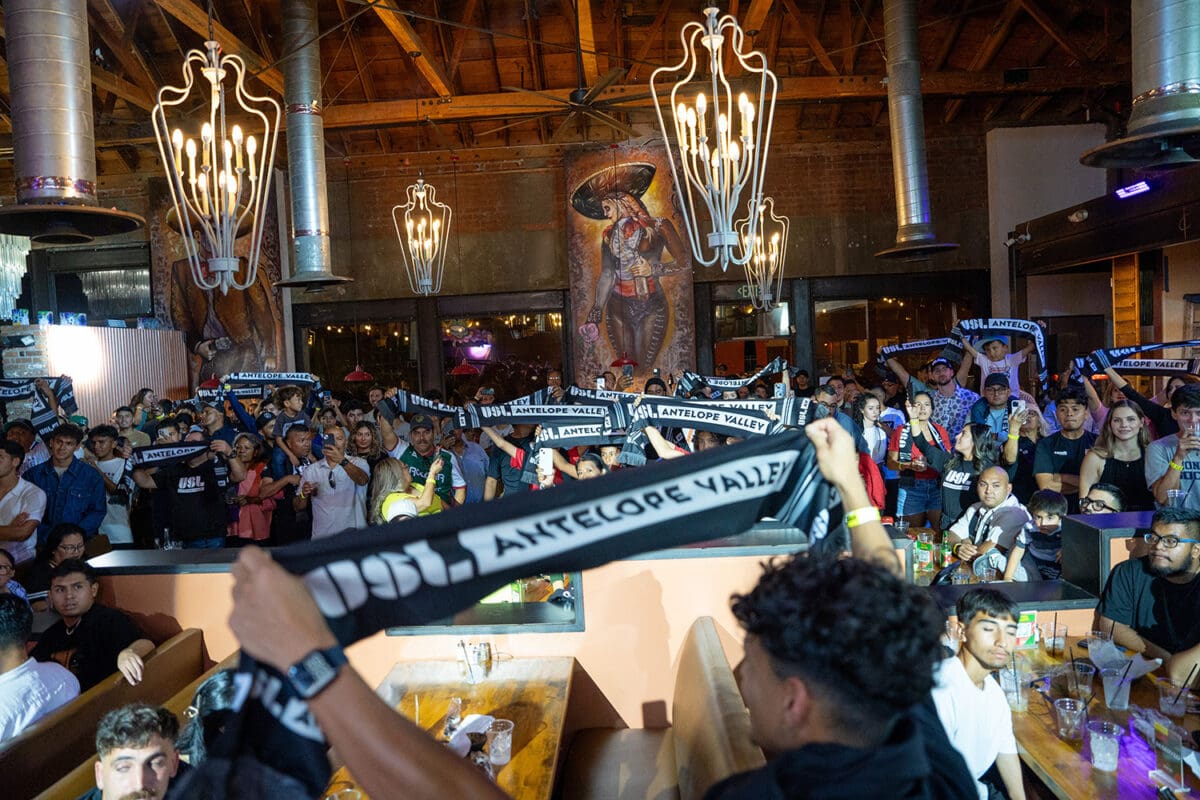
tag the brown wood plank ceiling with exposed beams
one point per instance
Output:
(440, 76)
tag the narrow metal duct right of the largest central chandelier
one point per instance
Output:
(915, 231)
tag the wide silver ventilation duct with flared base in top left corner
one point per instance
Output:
(55, 146)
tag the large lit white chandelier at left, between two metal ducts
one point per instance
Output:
(219, 185)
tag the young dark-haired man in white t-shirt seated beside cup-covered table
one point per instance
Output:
(970, 702)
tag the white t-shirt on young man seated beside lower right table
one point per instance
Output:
(979, 723)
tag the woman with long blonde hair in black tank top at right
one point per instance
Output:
(1119, 458)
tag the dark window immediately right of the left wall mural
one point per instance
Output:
(386, 350)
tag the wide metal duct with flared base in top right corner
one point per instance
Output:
(1165, 119)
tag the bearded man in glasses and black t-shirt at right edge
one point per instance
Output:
(1153, 604)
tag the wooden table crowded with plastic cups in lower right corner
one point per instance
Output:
(1066, 768)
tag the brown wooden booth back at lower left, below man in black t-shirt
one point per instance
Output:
(59, 742)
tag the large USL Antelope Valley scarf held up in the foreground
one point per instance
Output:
(427, 569)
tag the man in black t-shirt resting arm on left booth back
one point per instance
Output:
(91, 641)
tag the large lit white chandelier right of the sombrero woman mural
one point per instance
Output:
(718, 164)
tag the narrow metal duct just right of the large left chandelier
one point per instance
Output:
(313, 262)
